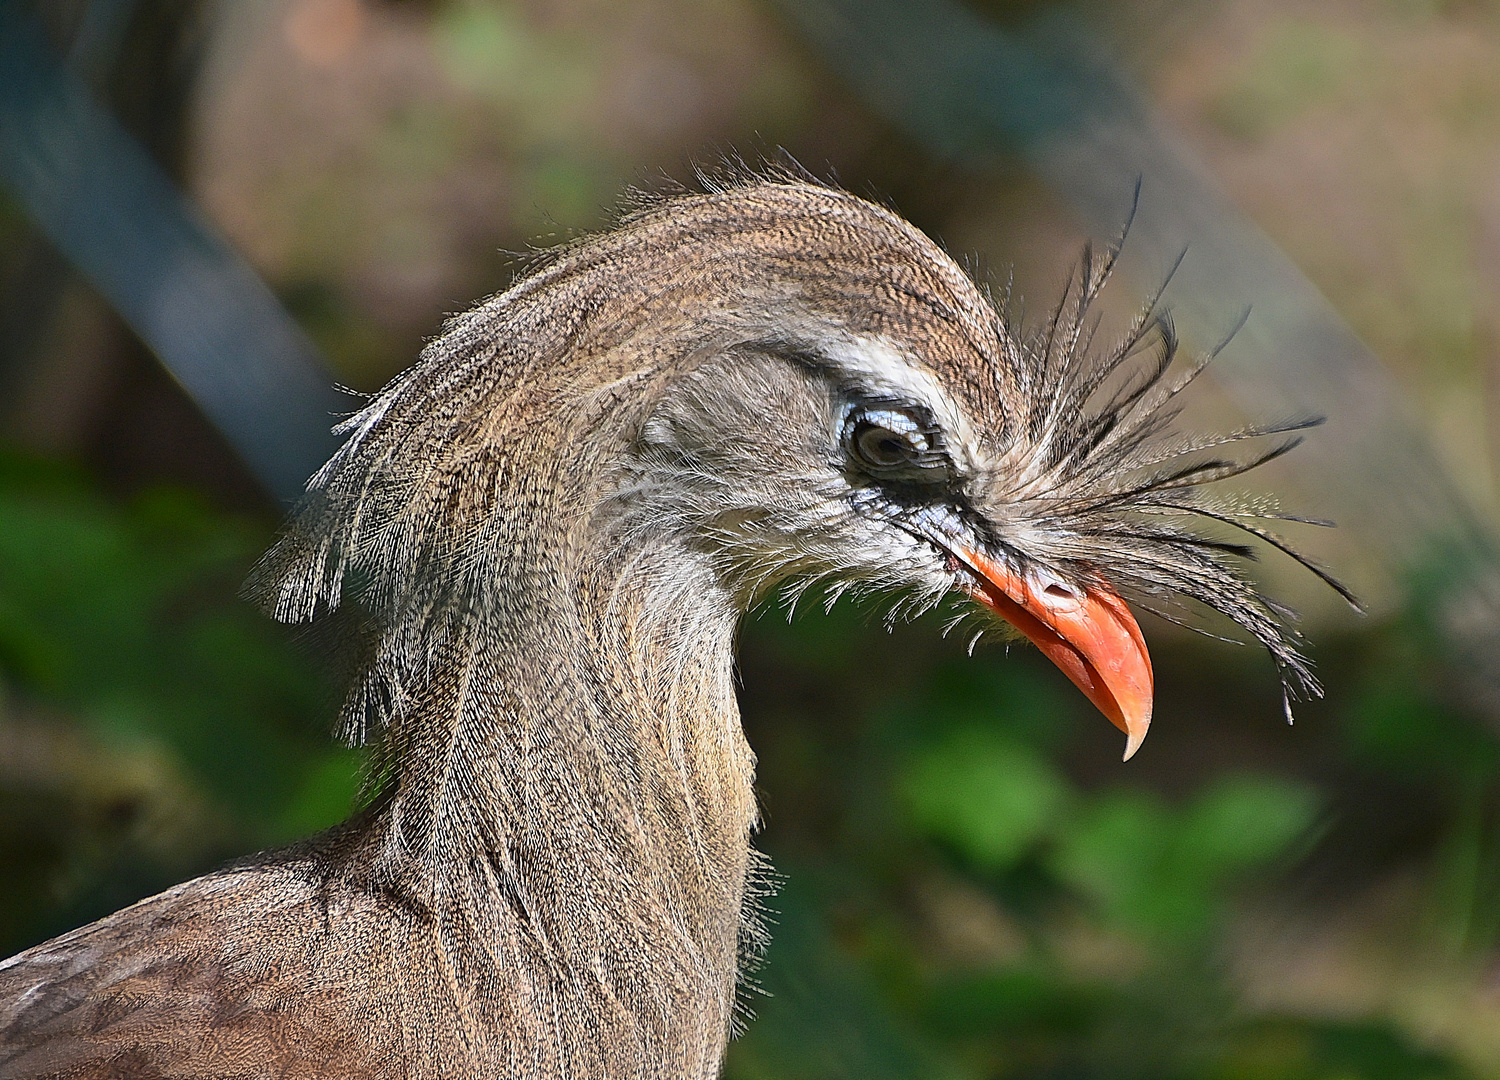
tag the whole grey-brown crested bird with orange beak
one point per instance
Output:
(545, 533)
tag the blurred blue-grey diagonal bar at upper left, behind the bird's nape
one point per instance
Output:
(206, 314)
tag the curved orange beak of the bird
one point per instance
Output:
(1090, 635)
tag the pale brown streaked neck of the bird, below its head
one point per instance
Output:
(572, 787)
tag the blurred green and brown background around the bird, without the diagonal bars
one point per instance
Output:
(971, 883)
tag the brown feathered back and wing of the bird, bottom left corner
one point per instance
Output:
(239, 974)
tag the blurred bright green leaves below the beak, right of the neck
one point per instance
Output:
(1084, 926)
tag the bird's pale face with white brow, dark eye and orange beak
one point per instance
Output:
(845, 464)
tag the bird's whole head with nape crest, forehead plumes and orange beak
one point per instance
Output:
(790, 388)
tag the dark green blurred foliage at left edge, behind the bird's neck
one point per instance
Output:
(193, 722)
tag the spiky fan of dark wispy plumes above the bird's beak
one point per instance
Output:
(1102, 467)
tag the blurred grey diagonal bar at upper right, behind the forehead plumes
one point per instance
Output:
(970, 91)
